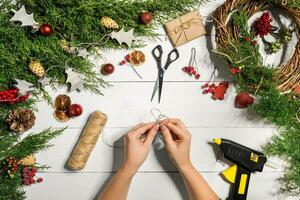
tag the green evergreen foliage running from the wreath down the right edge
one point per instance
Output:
(271, 105)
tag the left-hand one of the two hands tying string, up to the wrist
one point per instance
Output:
(137, 145)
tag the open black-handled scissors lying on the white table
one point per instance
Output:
(157, 53)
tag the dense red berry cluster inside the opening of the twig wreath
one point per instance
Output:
(263, 25)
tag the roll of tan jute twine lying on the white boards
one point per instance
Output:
(87, 141)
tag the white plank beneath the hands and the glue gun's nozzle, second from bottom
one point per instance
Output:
(107, 159)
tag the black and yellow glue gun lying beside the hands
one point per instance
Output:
(246, 161)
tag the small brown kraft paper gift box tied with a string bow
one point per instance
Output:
(185, 28)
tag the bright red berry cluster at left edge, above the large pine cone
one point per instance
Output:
(12, 97)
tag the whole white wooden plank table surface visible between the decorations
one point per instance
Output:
(128, 103)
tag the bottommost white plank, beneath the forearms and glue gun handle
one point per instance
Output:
(147, 186)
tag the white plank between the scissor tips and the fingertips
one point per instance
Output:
(128, 104)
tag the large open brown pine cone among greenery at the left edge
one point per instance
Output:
(21, 120)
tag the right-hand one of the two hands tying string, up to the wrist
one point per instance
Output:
(178, 141)
